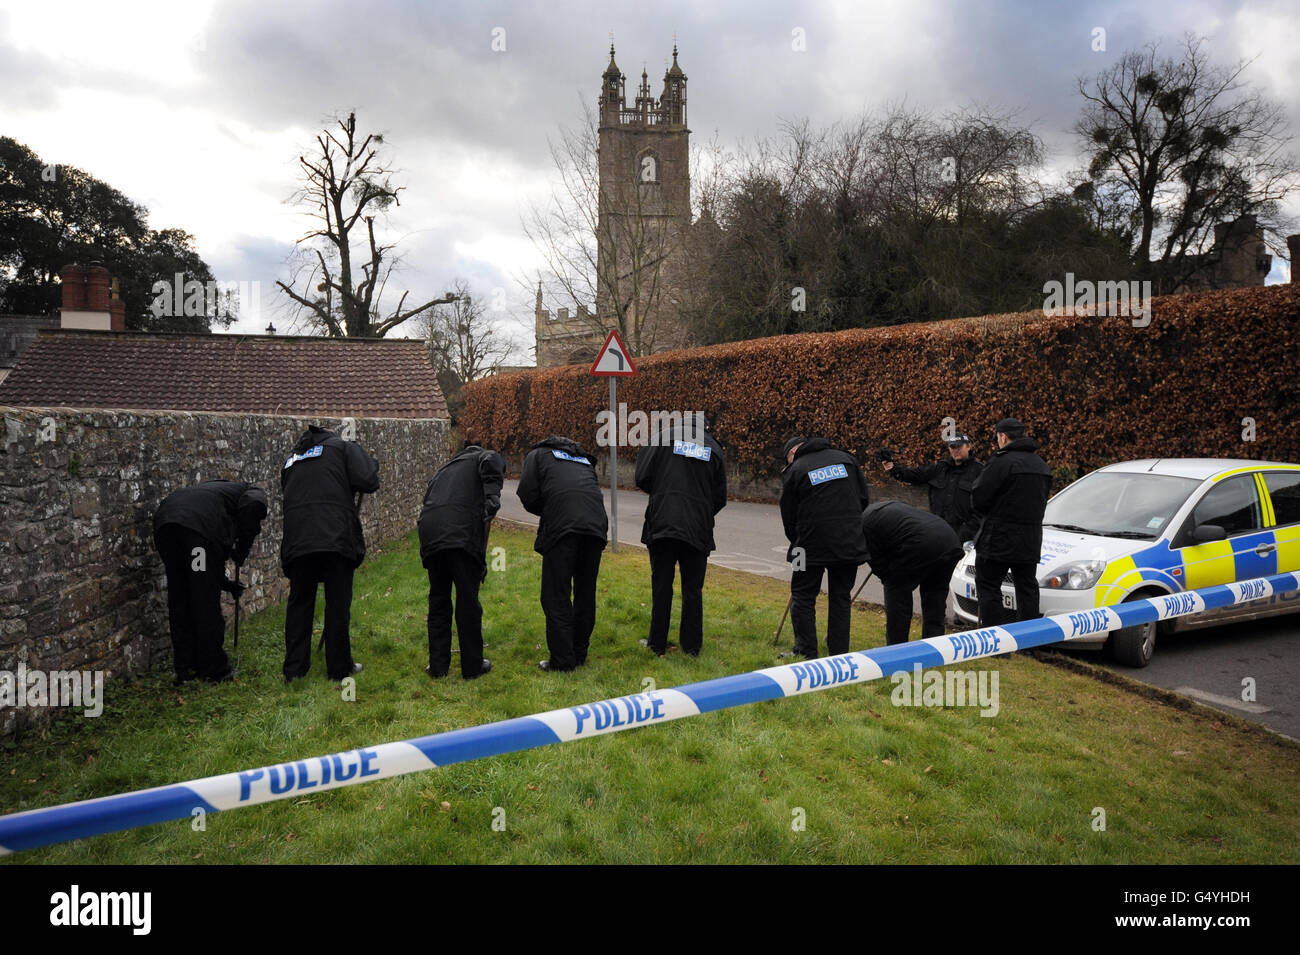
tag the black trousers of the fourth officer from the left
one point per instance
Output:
(569, 598)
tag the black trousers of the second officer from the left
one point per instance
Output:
(336, 572)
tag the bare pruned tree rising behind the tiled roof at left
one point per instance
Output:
(348, 184)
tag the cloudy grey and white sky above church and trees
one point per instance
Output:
(200, 110)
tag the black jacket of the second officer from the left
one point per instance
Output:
(319, 483)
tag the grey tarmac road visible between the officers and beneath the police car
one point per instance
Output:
(1206, 666)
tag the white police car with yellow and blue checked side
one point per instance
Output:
(1156, 527)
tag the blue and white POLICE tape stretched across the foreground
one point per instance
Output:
(45, 827)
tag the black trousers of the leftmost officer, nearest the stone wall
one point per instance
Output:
(194, 604)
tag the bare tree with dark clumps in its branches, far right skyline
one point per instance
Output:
(1185, 145)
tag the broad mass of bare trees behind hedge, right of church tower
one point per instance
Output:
(891, 216)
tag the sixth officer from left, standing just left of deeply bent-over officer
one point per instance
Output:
(824, 496)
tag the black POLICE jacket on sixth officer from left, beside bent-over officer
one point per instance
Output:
(824, 494)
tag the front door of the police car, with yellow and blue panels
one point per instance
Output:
(1249, 552)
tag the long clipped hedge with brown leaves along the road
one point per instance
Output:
(1093, 390)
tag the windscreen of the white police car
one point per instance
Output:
(1115, 503)
